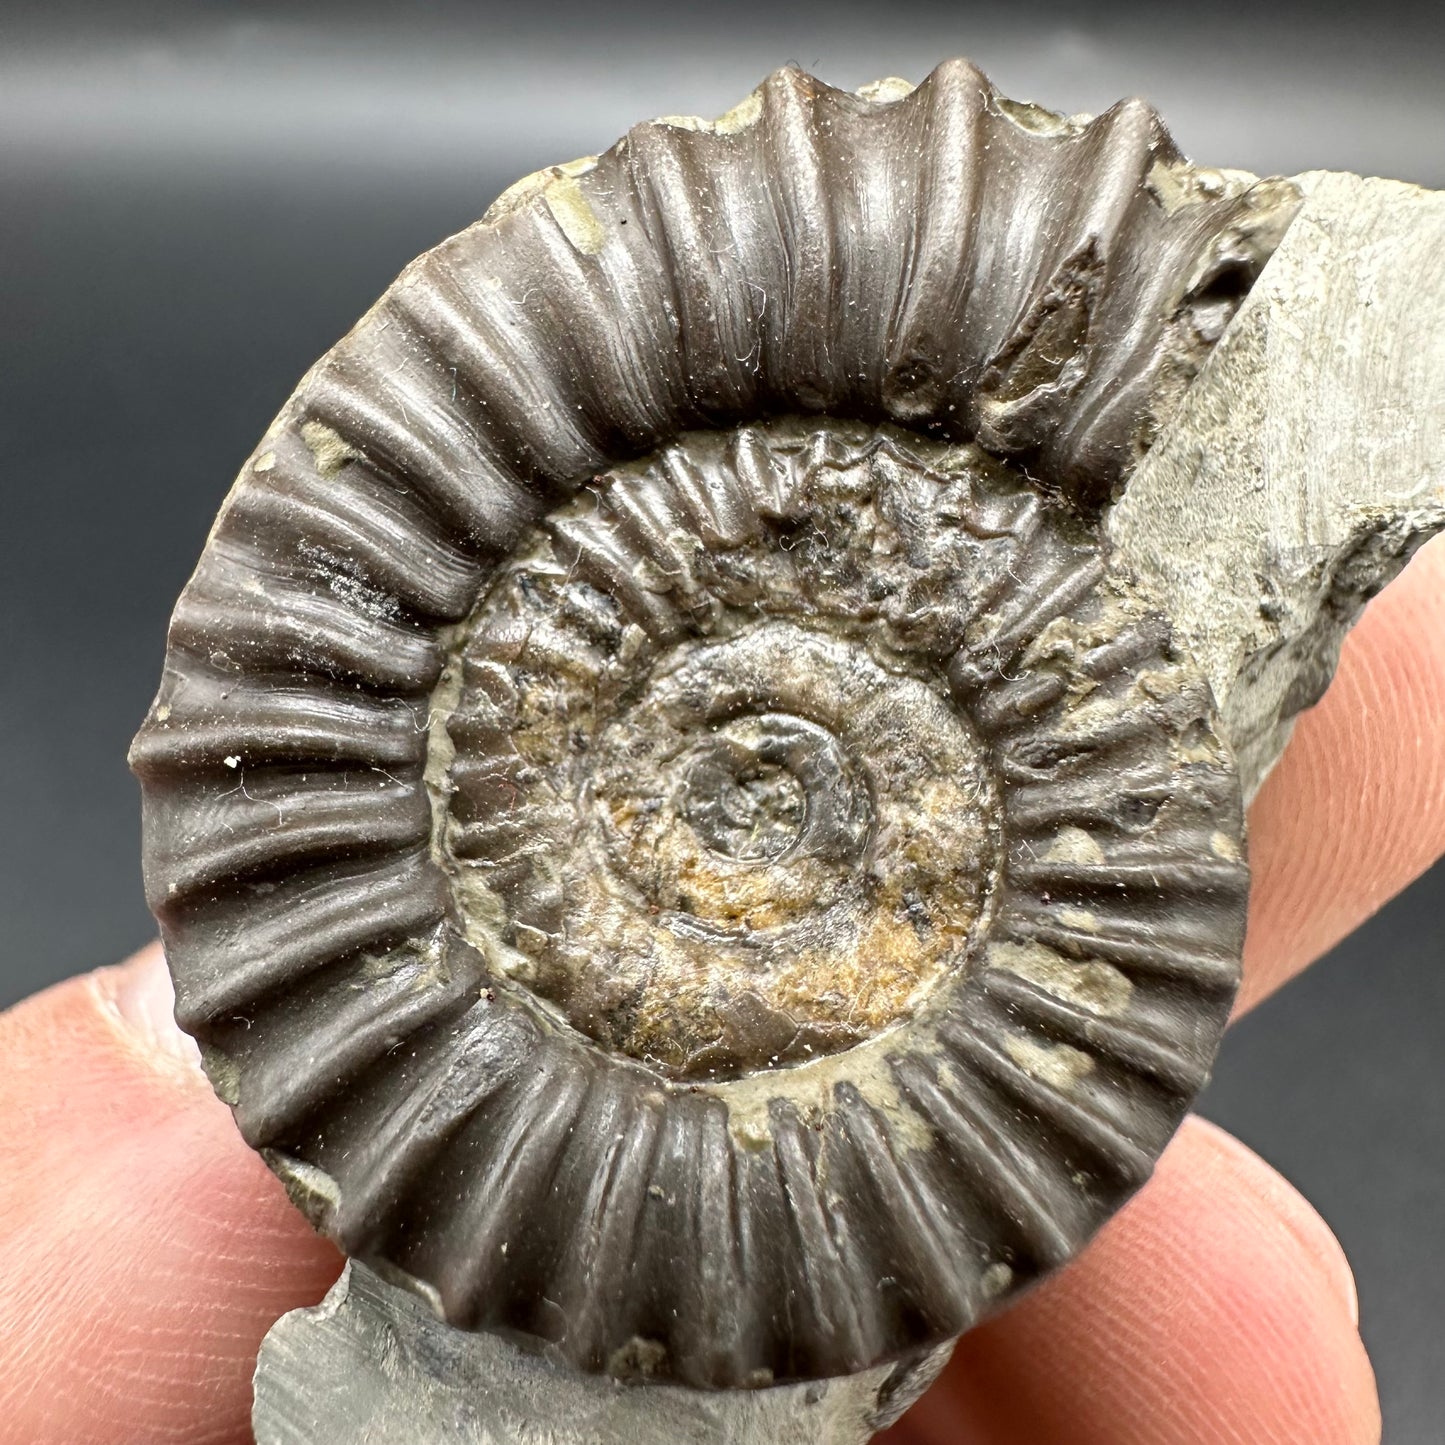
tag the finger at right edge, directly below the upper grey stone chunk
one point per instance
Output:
(1356, 808)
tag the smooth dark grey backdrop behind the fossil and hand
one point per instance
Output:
(199, 200)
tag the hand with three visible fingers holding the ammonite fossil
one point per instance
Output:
(147, 1249)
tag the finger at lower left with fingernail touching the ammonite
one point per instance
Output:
(147, 1248)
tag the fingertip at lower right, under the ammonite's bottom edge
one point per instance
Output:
(1216, 1308)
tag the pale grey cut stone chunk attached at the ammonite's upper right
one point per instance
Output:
(1308, 462)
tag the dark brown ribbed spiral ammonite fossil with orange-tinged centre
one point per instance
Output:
(673, 832)
